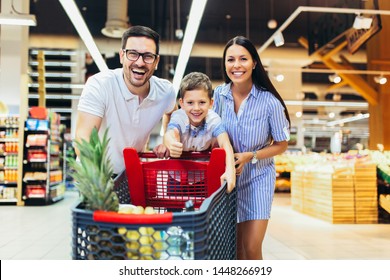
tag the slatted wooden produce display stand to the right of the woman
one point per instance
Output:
(346, 195)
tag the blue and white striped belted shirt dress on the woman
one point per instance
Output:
(260, 118)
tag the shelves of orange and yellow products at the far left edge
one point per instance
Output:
(9, 147)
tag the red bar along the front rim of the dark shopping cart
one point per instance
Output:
(114, 217)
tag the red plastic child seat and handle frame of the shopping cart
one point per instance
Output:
(169, 183)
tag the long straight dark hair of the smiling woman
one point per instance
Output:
(259, 75)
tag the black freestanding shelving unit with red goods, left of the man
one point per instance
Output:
(43, 180)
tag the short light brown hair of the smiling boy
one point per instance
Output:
(196, 80)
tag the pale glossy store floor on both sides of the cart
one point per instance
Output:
(44, 232)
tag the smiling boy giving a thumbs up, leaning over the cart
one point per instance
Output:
(195, 127)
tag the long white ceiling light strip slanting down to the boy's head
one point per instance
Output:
(196, 14)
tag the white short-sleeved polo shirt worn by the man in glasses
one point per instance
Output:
(105, 95)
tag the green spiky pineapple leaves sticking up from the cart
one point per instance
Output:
(92, 174)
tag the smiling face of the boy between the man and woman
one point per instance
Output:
(196, 103)
